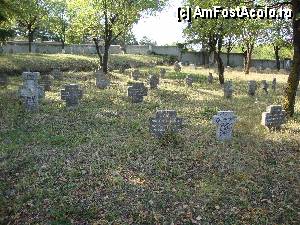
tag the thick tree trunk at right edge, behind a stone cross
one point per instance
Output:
(293, 79)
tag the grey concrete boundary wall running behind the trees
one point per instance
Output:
(197, 58)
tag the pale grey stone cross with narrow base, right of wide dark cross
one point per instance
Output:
(225, 121)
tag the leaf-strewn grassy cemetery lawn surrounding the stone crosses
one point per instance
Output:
(99, 164)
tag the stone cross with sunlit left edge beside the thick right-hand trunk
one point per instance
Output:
(274, 117)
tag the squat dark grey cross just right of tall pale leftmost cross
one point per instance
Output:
(71, 94)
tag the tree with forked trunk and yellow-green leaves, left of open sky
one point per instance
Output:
(106, 20)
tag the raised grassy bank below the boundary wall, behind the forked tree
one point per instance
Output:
(17, 63)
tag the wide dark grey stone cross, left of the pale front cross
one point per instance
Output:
(165, 121)
